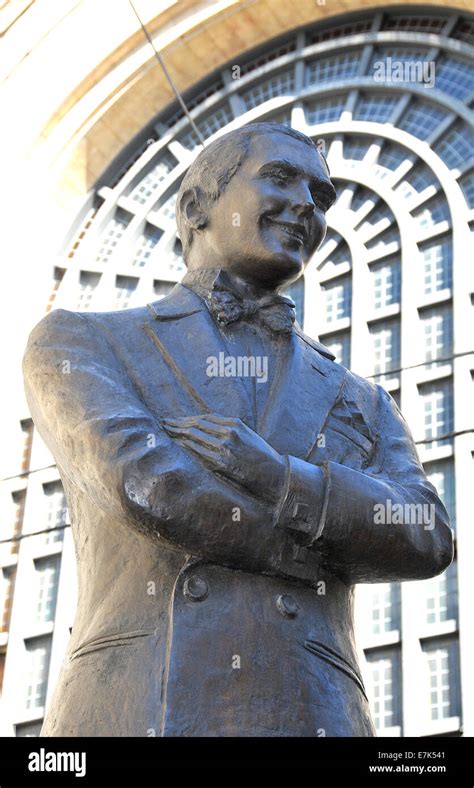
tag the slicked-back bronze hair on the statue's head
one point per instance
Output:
(217, 164)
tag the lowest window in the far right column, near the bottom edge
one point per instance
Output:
(442, 667)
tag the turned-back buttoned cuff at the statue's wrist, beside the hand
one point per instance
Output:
(304, 500)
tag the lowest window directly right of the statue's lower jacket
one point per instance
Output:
(384, 688)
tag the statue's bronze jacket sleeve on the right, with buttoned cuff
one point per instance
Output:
(385, 523)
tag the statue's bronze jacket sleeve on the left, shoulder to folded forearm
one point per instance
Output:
(111, 448)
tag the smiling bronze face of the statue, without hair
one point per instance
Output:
(271, 216)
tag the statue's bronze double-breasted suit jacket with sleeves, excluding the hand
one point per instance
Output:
(189, 622)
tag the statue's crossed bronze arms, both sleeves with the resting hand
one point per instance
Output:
(182, 480)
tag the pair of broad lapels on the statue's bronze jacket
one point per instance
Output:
(304, 388)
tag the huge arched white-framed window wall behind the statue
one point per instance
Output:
(388, 95)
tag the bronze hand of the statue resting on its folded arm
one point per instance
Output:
(232, 449)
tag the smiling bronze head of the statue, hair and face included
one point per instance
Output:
(254, 202)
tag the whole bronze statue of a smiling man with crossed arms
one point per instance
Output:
(222, 474)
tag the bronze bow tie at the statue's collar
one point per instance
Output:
(277, 313)
